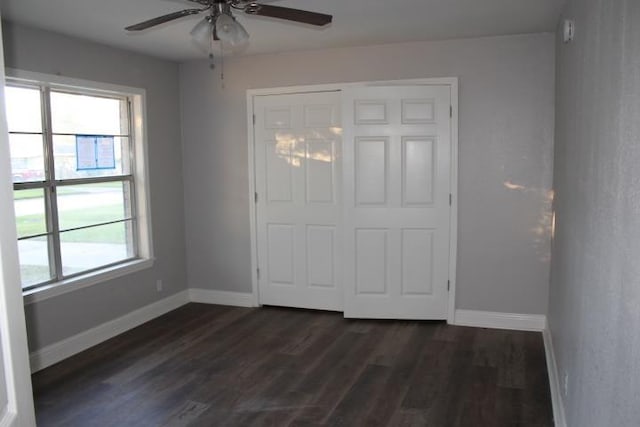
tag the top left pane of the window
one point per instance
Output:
(23, 109)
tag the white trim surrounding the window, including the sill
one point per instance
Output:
(141, 179)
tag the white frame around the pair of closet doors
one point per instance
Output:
(451, 82)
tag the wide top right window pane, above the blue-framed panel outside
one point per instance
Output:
(90, 115)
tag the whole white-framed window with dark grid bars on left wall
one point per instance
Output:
(77, 164)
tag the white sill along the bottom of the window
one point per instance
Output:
(81, 282)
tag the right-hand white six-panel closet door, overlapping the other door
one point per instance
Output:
(397, 157)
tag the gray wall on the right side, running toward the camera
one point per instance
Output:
(594, 305)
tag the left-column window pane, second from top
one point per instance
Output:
(27, 158)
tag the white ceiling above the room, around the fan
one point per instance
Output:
(355, 22)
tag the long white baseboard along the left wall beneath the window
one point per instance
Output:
(61, 350)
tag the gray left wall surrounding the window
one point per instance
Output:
(34, 50)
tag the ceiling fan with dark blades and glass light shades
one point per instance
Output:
(220, 24)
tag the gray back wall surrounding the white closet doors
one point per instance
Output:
(506, 139)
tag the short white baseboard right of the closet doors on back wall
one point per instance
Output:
(490, 319)
